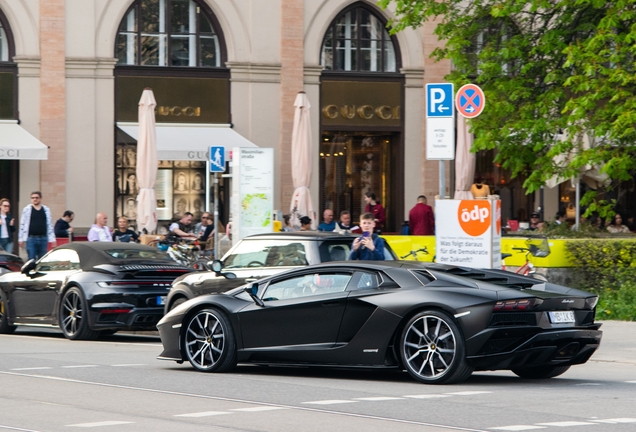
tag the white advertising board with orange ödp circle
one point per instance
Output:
(468, 232)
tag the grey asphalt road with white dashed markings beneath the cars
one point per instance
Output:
(48, 383)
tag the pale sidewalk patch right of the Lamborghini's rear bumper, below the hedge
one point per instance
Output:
(618, 344)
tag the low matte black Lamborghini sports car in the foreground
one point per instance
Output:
(438, 322)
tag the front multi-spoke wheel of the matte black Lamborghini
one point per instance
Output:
(209, 342)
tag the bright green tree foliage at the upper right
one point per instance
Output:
(559, 78)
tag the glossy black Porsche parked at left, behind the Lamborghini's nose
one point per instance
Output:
(89, 288)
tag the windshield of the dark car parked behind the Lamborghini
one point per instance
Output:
(266, 253)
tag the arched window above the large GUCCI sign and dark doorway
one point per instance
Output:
(358, 41)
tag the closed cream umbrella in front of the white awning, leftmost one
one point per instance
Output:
(147, 163)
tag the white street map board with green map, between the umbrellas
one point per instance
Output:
(253, 191)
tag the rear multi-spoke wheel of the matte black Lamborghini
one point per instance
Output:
(432, 349)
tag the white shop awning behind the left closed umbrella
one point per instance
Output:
(179, 141)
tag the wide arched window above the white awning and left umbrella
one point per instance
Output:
(169, 33)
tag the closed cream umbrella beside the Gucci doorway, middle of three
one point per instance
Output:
(301, 204)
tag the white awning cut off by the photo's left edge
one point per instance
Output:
(17, 143)
